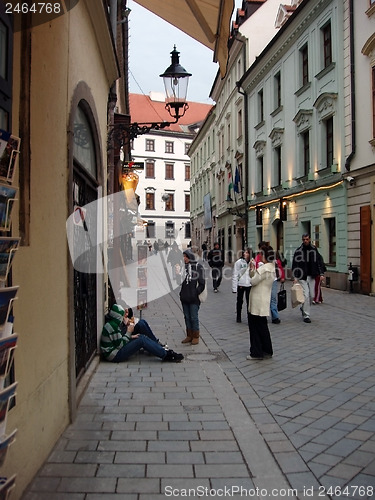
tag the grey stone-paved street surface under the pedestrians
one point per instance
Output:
(223, 426)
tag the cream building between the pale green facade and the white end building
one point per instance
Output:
(219, 153)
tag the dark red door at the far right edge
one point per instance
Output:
(365, 249)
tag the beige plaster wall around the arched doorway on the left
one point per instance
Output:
(64, 52)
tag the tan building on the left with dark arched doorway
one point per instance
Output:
(57, 78)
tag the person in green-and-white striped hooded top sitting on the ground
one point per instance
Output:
(117, 347)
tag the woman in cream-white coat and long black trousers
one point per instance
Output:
(262, 280)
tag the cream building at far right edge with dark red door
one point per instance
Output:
(359, 91)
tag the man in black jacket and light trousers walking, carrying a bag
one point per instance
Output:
(306, 266)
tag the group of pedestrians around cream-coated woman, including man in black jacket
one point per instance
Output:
(260, 276)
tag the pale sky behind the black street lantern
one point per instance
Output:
(151, 41)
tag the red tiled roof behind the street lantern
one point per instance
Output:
(143, 109)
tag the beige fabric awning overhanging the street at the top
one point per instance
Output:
(207, 21)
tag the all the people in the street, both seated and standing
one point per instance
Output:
(254, 279)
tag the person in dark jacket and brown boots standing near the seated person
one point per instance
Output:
(192, 285)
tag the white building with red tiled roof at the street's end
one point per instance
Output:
(164, 184)
